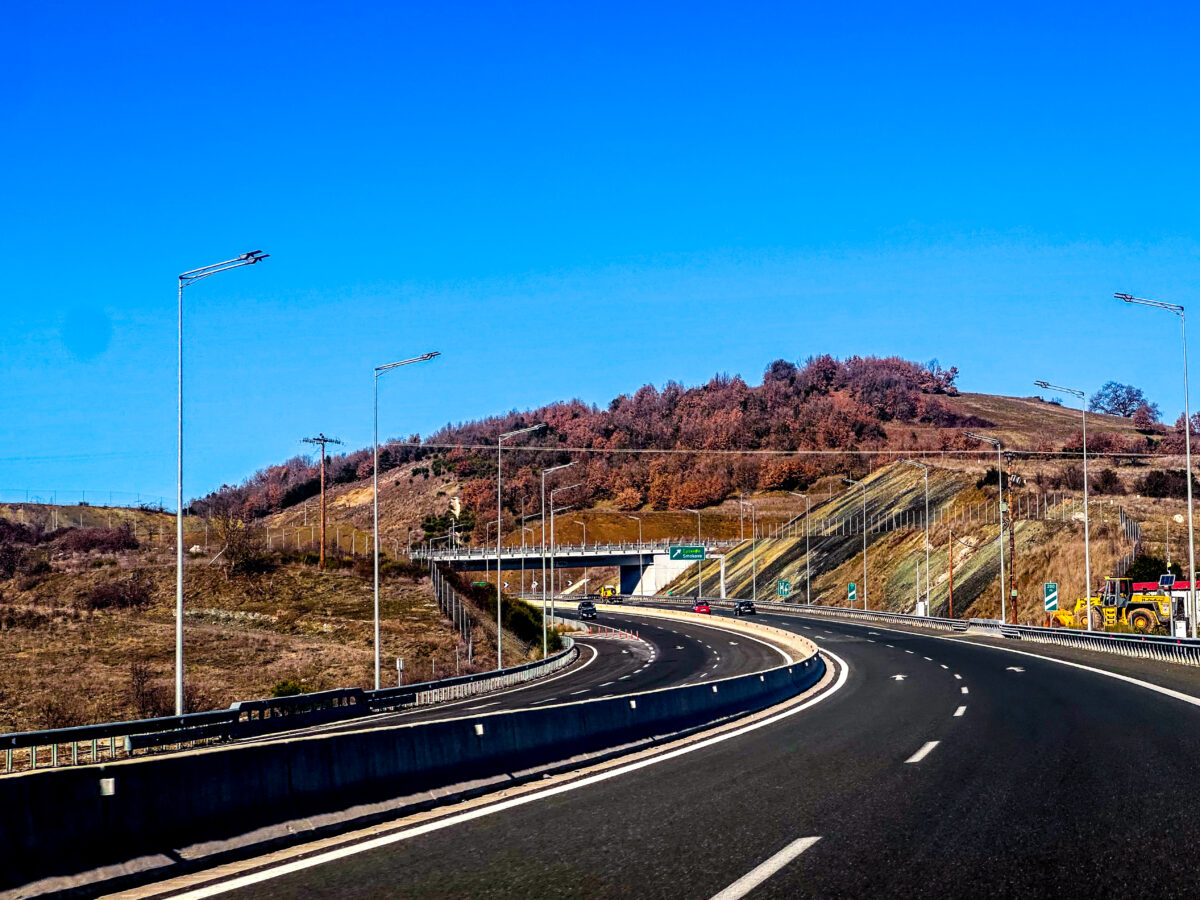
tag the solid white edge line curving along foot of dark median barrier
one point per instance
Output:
(471, 815)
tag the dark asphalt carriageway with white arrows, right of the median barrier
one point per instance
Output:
(941, 767)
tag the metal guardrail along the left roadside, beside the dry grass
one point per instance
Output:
(112, 741)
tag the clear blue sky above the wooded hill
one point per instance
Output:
(567, 201)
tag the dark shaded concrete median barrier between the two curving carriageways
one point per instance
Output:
(64, 821)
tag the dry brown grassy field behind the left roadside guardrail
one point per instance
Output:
(64, 665)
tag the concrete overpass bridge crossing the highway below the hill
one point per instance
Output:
(645, 568)
